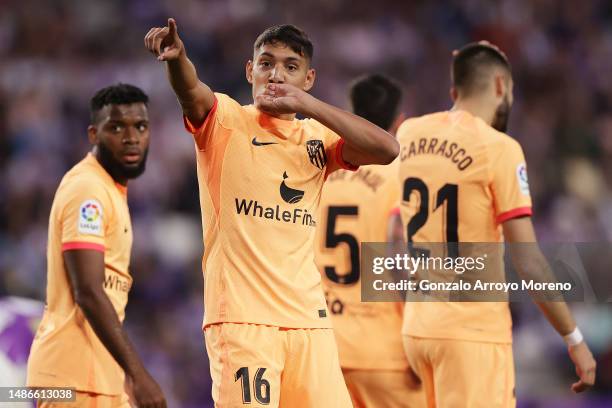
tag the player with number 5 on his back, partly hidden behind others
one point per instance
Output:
(355, 207)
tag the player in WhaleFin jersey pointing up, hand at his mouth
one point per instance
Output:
(267, 328)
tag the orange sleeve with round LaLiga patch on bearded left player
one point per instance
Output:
(85, 216)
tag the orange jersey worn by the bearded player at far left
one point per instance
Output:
(89, 211)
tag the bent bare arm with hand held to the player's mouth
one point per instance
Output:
(365, 143)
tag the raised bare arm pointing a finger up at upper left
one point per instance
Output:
(195, 97)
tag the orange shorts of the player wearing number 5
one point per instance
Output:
(384, 389)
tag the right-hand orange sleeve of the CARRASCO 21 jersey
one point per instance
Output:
(509, 182)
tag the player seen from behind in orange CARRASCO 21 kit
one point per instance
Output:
(465, 180)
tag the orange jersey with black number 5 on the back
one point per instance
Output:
(355, 208)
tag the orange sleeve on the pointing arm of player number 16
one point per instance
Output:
(224, 116)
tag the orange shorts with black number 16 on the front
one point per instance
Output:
(264, 366)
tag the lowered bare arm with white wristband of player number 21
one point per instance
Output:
(531, 264)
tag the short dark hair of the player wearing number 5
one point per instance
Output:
(377, 99)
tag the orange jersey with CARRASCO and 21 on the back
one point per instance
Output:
(461, 179)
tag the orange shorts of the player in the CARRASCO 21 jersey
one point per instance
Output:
(457, 374)
